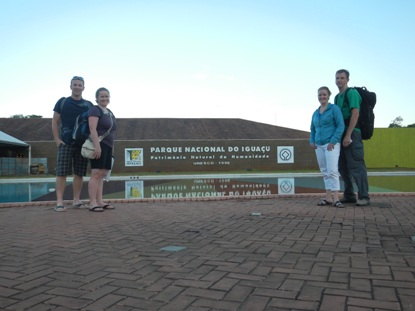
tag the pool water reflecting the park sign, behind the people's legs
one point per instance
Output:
(135, 188)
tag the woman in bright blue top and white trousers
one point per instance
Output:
(327, 126)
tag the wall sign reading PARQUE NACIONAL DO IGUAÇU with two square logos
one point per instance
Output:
(222, 155)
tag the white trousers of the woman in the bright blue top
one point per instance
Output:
(328, 161)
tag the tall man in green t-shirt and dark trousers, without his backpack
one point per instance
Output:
(351, 162)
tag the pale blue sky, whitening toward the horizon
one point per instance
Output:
(258, 60)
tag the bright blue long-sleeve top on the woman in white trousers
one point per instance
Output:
(327, 127)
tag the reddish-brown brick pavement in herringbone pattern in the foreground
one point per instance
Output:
(289, 255)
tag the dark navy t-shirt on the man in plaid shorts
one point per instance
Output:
(69, 111)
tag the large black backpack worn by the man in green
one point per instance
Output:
(366, 122)
